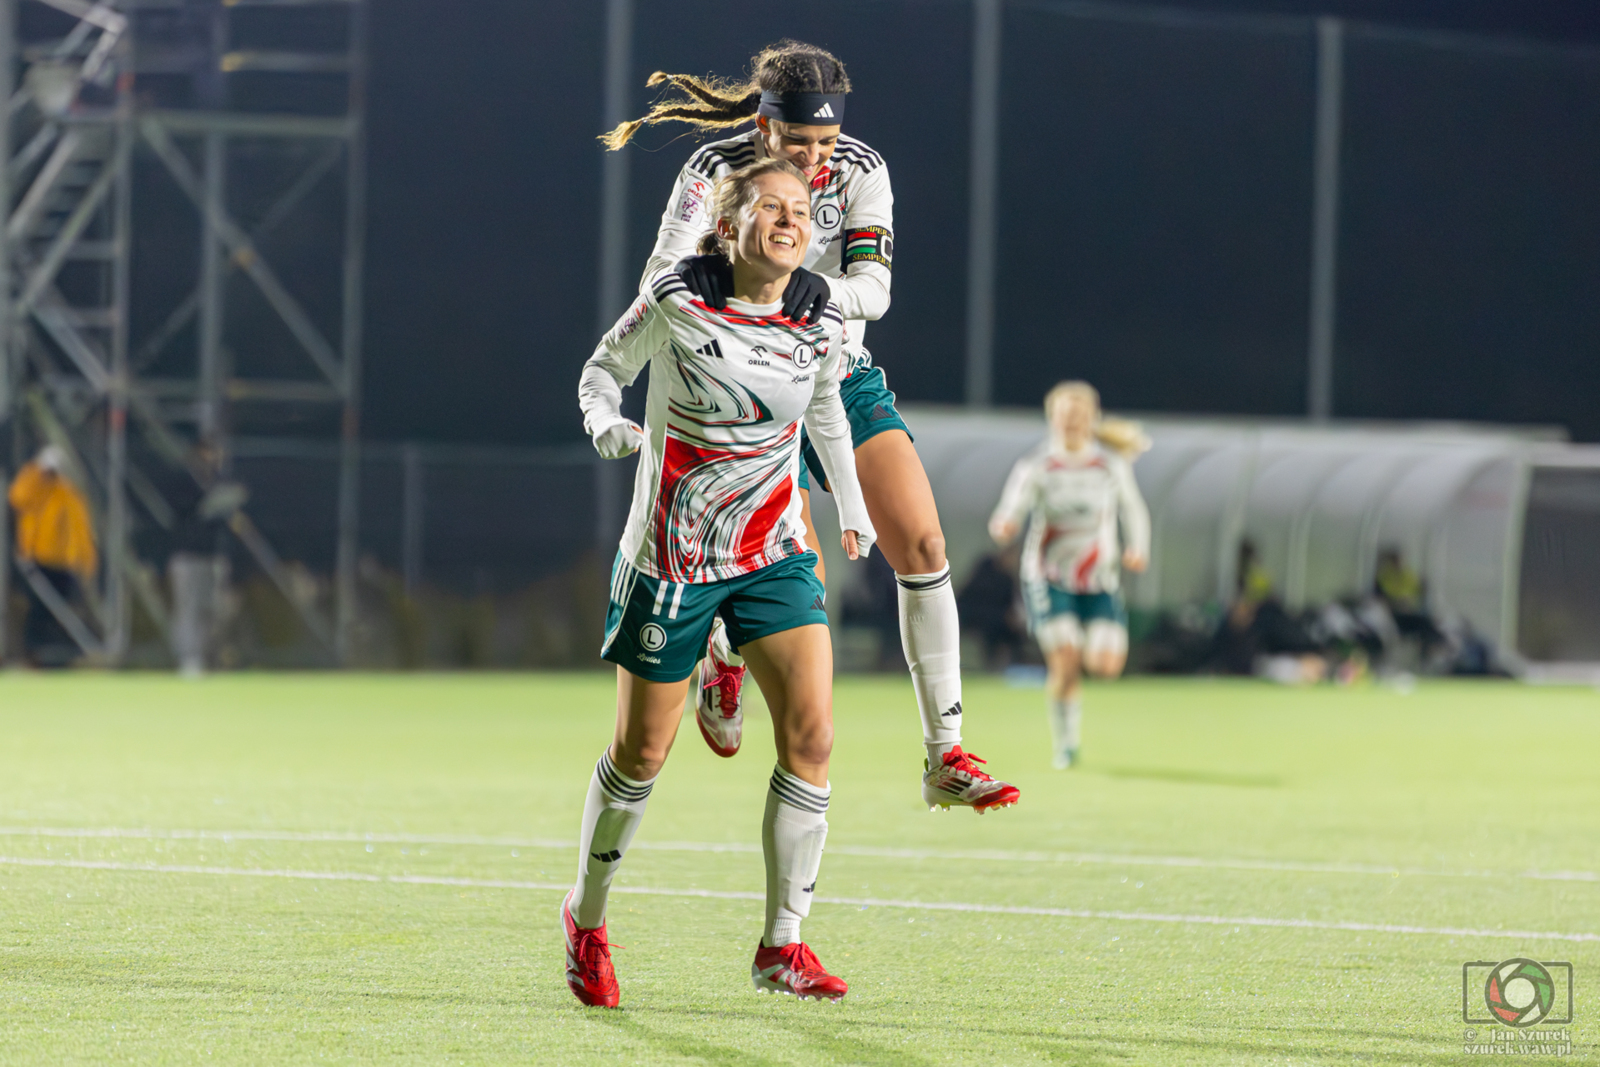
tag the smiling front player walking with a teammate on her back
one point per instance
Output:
(716, 532)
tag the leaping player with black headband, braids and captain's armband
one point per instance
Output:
(796, 98)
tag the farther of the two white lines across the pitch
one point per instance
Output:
(1122, 860)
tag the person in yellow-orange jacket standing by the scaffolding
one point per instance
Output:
(55, 537)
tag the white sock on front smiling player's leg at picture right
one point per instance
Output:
(793, 834)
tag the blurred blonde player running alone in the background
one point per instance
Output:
(1074, 492)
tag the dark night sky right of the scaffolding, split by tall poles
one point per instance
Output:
(1154, 212)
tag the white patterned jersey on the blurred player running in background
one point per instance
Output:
(1074, 502)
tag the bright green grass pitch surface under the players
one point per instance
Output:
(1238, 874)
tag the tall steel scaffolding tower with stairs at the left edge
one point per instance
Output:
(105, 89)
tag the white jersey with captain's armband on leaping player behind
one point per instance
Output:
(852, 226)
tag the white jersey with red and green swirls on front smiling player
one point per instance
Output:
(718, 489)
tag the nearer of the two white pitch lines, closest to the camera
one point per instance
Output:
(735, 895)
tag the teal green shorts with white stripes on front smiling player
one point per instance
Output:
(658, 629)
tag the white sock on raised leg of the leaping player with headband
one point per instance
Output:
(932, 639)
